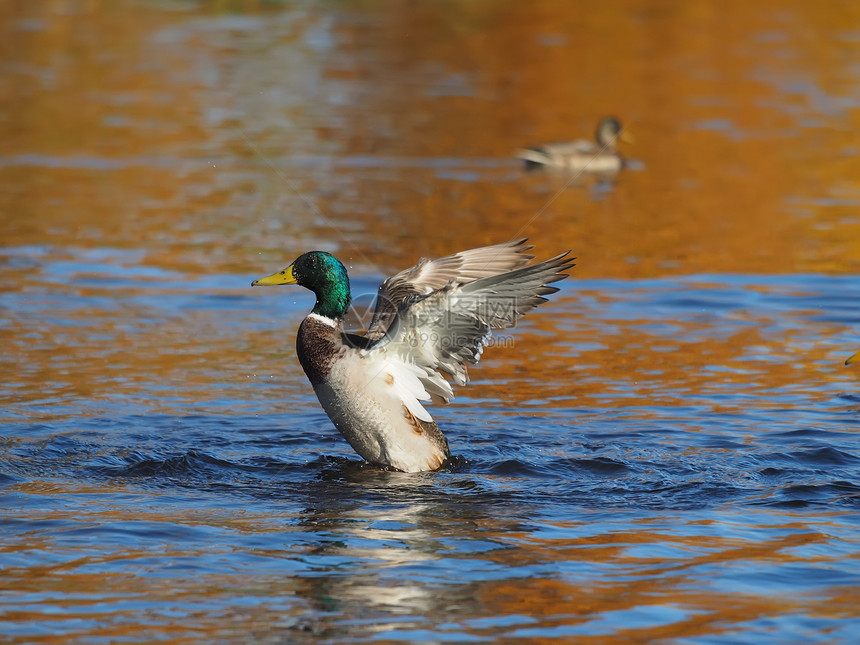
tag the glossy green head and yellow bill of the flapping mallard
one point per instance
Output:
(323, 274)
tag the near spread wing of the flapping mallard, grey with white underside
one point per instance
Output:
(441, 332)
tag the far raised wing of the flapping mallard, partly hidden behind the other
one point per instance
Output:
(431, 275)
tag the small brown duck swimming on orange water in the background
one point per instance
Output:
(598, 156)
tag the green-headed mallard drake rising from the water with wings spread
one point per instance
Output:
(430, 320)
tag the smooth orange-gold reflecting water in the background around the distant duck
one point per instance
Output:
(740, 172)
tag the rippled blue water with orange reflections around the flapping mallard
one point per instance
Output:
(215, 500)
